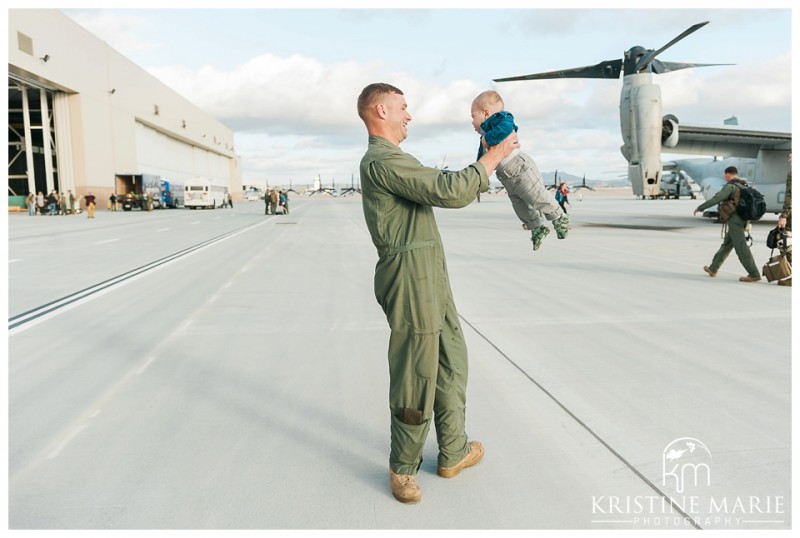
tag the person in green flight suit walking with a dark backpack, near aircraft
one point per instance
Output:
(735, 227)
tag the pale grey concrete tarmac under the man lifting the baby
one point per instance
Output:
(227, 370)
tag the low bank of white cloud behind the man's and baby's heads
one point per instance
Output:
(302, 112)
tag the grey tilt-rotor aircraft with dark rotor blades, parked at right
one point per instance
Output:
(760, 156)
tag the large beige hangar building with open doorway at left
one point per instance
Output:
(82, 117)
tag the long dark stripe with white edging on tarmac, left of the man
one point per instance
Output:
(48, 308)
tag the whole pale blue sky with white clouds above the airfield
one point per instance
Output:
(286, 80)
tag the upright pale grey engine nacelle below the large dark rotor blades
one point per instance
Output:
(641, 126)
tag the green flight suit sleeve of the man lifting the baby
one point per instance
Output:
(402, 175)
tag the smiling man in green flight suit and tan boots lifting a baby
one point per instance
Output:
(427, 351)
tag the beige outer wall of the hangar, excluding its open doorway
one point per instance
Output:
(103, 124)
